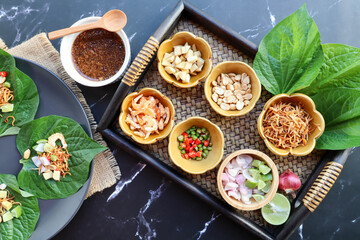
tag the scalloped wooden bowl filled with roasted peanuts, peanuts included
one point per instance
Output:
(232, 88)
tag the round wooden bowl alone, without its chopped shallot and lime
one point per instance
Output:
(254, 204)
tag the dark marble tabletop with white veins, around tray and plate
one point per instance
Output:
(145, 205)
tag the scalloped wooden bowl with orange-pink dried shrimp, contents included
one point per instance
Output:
(147, 116)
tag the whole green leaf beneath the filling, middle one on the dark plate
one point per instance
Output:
(80, 146)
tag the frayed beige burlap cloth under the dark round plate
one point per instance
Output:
(39, 50)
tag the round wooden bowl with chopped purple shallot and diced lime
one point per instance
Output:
(235, 170)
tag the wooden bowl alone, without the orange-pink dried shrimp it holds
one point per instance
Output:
(125, 110)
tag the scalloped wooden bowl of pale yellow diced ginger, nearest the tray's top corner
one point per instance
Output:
(184, 60)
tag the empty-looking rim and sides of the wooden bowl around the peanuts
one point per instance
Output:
(238, 68)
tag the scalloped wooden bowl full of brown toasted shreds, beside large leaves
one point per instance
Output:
(290, 124)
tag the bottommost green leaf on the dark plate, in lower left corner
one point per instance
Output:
(22, 227)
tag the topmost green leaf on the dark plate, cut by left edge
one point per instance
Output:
(26, 98)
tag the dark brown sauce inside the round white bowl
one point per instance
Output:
(98, 54)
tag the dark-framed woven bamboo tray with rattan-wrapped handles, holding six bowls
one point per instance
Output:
(317, 171)
